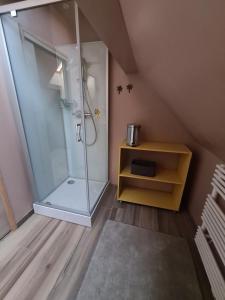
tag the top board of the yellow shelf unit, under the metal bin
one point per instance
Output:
(160, 147)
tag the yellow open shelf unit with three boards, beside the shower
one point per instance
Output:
(140, 189)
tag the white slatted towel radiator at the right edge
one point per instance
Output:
(210, 236)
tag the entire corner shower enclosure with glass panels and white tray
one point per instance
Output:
(59, 70)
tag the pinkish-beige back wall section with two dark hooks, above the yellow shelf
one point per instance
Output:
(143, 106)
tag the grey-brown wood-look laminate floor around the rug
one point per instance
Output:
(47, 258)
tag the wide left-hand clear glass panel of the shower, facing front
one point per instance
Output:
(45, 61)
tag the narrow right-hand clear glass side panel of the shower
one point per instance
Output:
(94, 61)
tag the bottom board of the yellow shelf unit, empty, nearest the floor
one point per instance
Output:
(148, 197)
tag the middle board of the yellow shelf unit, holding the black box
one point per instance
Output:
(162, 175)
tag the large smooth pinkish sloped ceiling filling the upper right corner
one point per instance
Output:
(179, 47)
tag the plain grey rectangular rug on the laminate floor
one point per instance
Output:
(137, 264)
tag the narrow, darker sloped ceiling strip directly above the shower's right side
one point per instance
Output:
(107, 20)
